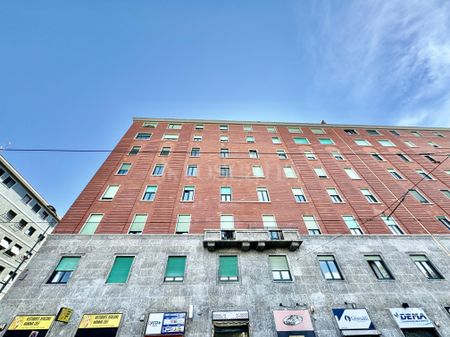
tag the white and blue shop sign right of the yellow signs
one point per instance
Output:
(166, 323)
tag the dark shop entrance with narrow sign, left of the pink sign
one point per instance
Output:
(230, 323)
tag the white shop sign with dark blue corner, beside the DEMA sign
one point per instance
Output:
(354, 322)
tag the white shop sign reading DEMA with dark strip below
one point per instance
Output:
(414, 322)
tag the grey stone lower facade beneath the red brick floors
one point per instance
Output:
(254, 297)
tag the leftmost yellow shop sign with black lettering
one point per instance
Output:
(34, 326)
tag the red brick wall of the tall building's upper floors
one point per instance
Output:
(413, 217)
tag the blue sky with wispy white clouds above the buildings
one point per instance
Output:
(74, 73)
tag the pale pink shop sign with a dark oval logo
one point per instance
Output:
(290, 323)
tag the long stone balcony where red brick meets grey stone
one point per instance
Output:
(246, 239)
